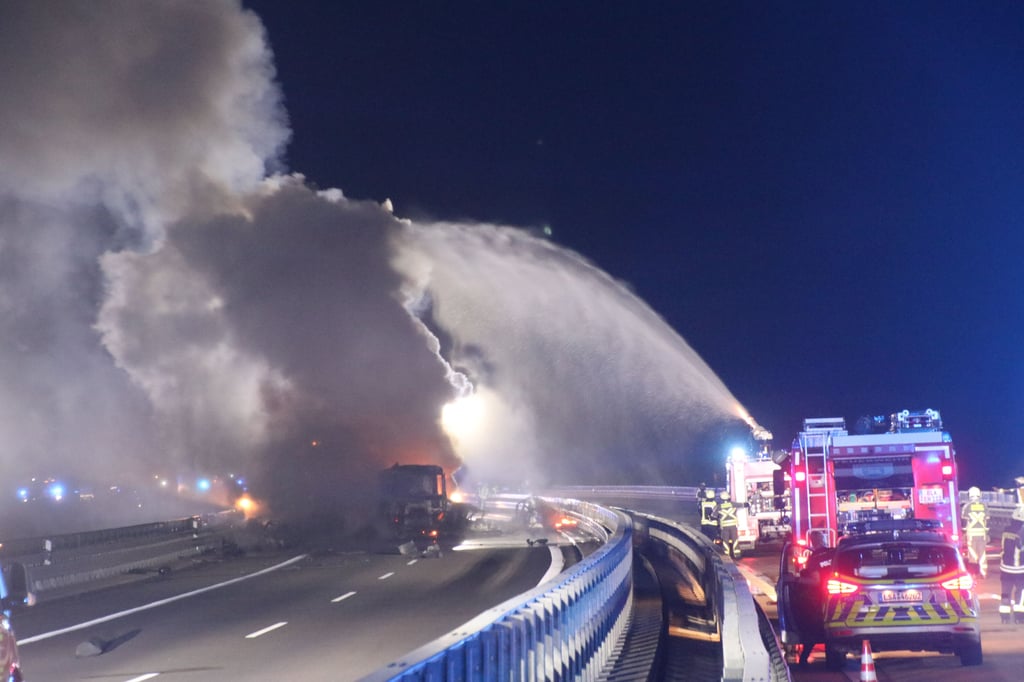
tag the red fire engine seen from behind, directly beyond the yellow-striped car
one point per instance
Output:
(839, 479)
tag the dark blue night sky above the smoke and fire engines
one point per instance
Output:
(825, 199)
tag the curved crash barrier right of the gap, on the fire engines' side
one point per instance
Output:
(750, 651)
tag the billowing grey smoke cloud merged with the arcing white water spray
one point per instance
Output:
(173, 304)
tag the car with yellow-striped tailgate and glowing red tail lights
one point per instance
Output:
(899, 584)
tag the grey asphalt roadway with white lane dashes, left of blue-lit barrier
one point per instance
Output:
(327, 618)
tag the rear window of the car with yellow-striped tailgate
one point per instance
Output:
(898, 561)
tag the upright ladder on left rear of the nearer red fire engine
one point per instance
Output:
(821, 495)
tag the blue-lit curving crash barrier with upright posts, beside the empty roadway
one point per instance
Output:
(565, 629)
